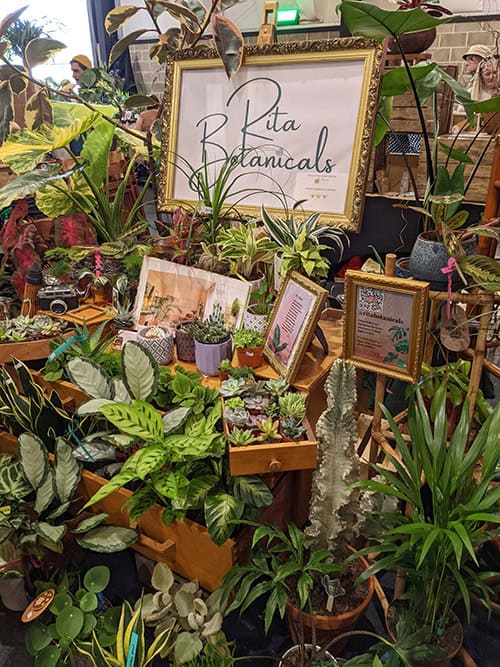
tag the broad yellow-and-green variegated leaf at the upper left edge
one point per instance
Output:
(25, 149)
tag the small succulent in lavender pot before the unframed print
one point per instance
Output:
(212, 342)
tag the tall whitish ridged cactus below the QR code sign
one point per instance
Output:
(334, 510)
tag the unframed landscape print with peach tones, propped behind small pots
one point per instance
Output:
(171, 293)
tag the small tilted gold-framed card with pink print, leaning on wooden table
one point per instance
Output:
(292, 322)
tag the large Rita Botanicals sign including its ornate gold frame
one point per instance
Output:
(297, 120)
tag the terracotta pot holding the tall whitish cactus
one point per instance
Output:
(328, 627)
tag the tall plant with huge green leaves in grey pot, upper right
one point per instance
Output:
(444, 247)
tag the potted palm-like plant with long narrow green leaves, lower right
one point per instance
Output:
(435, 545)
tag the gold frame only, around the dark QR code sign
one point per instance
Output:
(419, 291)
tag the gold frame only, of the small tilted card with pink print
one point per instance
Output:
(289, 372)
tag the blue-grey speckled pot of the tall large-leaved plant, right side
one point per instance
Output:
(428, 257)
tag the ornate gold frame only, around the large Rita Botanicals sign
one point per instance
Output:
(335, 50)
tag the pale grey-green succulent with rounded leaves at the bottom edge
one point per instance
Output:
(195, 620)
